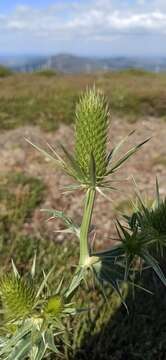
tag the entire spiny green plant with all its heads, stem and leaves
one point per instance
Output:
(34, 317)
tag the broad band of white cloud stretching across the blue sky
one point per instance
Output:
(96, 20)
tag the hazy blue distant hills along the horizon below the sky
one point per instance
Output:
(67, 63)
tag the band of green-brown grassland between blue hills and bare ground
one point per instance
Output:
(47, 98)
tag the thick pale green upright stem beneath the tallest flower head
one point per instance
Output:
(86, 222)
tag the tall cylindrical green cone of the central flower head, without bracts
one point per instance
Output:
(92, 117)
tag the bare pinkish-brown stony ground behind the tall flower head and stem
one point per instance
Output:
(17, 154)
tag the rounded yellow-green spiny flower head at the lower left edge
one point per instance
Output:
(18, 297)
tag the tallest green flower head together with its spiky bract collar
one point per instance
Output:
(91, 164)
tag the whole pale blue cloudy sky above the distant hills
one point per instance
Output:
(83, 27)
